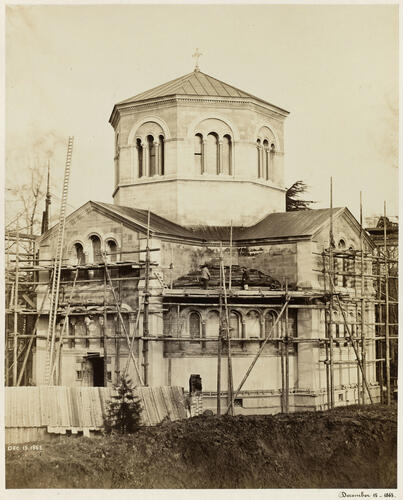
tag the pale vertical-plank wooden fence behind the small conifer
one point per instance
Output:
(33, 413)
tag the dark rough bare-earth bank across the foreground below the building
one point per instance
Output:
(350, 447)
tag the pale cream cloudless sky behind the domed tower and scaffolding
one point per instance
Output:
(335, 68)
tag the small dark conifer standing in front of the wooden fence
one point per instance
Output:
(123, 411)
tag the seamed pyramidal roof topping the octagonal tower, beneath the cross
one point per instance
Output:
(192, 84)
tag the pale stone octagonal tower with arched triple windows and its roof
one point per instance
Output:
(198, 151)
